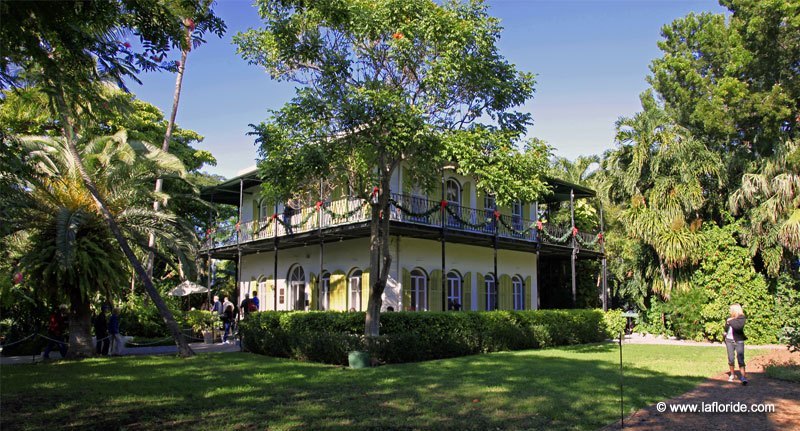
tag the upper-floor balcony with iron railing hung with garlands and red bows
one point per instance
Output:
(410, 215)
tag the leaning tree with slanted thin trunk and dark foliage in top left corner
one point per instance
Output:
(67, 48)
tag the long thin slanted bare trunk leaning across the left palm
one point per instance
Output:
(69, 132)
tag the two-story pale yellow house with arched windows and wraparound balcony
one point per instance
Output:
(453, 248)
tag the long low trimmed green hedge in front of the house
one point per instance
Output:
(327, 336)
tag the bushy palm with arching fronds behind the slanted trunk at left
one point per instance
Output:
(71, 251)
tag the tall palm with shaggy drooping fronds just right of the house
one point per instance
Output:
(662, 174)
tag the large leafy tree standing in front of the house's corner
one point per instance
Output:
(383, 83)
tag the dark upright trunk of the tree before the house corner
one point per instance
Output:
(380, 257)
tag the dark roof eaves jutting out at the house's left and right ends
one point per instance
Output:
(228, 192)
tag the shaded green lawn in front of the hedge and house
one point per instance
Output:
(561, 389)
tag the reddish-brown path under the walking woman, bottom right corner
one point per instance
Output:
(760, 391)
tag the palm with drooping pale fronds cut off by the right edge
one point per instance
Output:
(771, 198)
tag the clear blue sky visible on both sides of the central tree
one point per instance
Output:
(590, 59)
